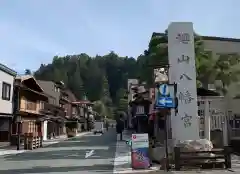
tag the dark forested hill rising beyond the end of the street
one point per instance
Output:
(102, 79)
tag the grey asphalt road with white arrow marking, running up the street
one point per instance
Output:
(66, 157)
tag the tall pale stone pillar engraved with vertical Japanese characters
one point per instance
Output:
(181, 53)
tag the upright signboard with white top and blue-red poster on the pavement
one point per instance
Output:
(140, 151)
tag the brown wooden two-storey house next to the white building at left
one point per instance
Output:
(29, 99)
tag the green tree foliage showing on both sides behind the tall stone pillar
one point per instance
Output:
(209, 68)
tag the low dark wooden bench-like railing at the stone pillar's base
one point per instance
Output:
(202, 159)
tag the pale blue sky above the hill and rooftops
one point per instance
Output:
(33, 31)
